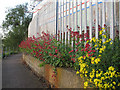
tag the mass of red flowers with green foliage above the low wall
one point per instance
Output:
(45, 47)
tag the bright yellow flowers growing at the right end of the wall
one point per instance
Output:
(97, 77)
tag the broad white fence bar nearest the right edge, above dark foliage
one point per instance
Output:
(112, 20)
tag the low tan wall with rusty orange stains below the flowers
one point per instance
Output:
(66, 78)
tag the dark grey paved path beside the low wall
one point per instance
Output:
(16, 75)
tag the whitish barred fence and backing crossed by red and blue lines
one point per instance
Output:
(56, 15)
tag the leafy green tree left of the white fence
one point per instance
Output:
(16, 23)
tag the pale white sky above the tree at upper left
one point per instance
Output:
(6, 4)
